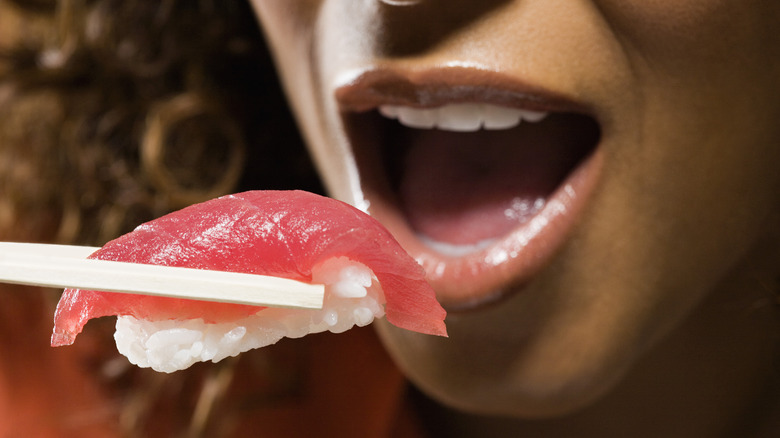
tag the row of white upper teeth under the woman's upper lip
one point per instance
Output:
(461, 117)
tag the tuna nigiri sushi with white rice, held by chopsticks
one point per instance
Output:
(291, 234)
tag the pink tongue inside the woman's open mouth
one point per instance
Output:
(465, 188)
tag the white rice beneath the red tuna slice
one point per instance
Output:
(353, 296)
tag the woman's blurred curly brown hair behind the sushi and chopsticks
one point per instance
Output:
(113, 112)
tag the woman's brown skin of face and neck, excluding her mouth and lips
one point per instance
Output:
(657, 316)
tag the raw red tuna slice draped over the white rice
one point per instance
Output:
(278, 233)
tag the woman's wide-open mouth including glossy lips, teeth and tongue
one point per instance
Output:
(479, 184)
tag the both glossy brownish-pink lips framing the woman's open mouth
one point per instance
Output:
(472, 280)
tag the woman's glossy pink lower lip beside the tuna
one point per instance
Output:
(479, 278)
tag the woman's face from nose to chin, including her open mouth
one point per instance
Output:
(562, 247)
